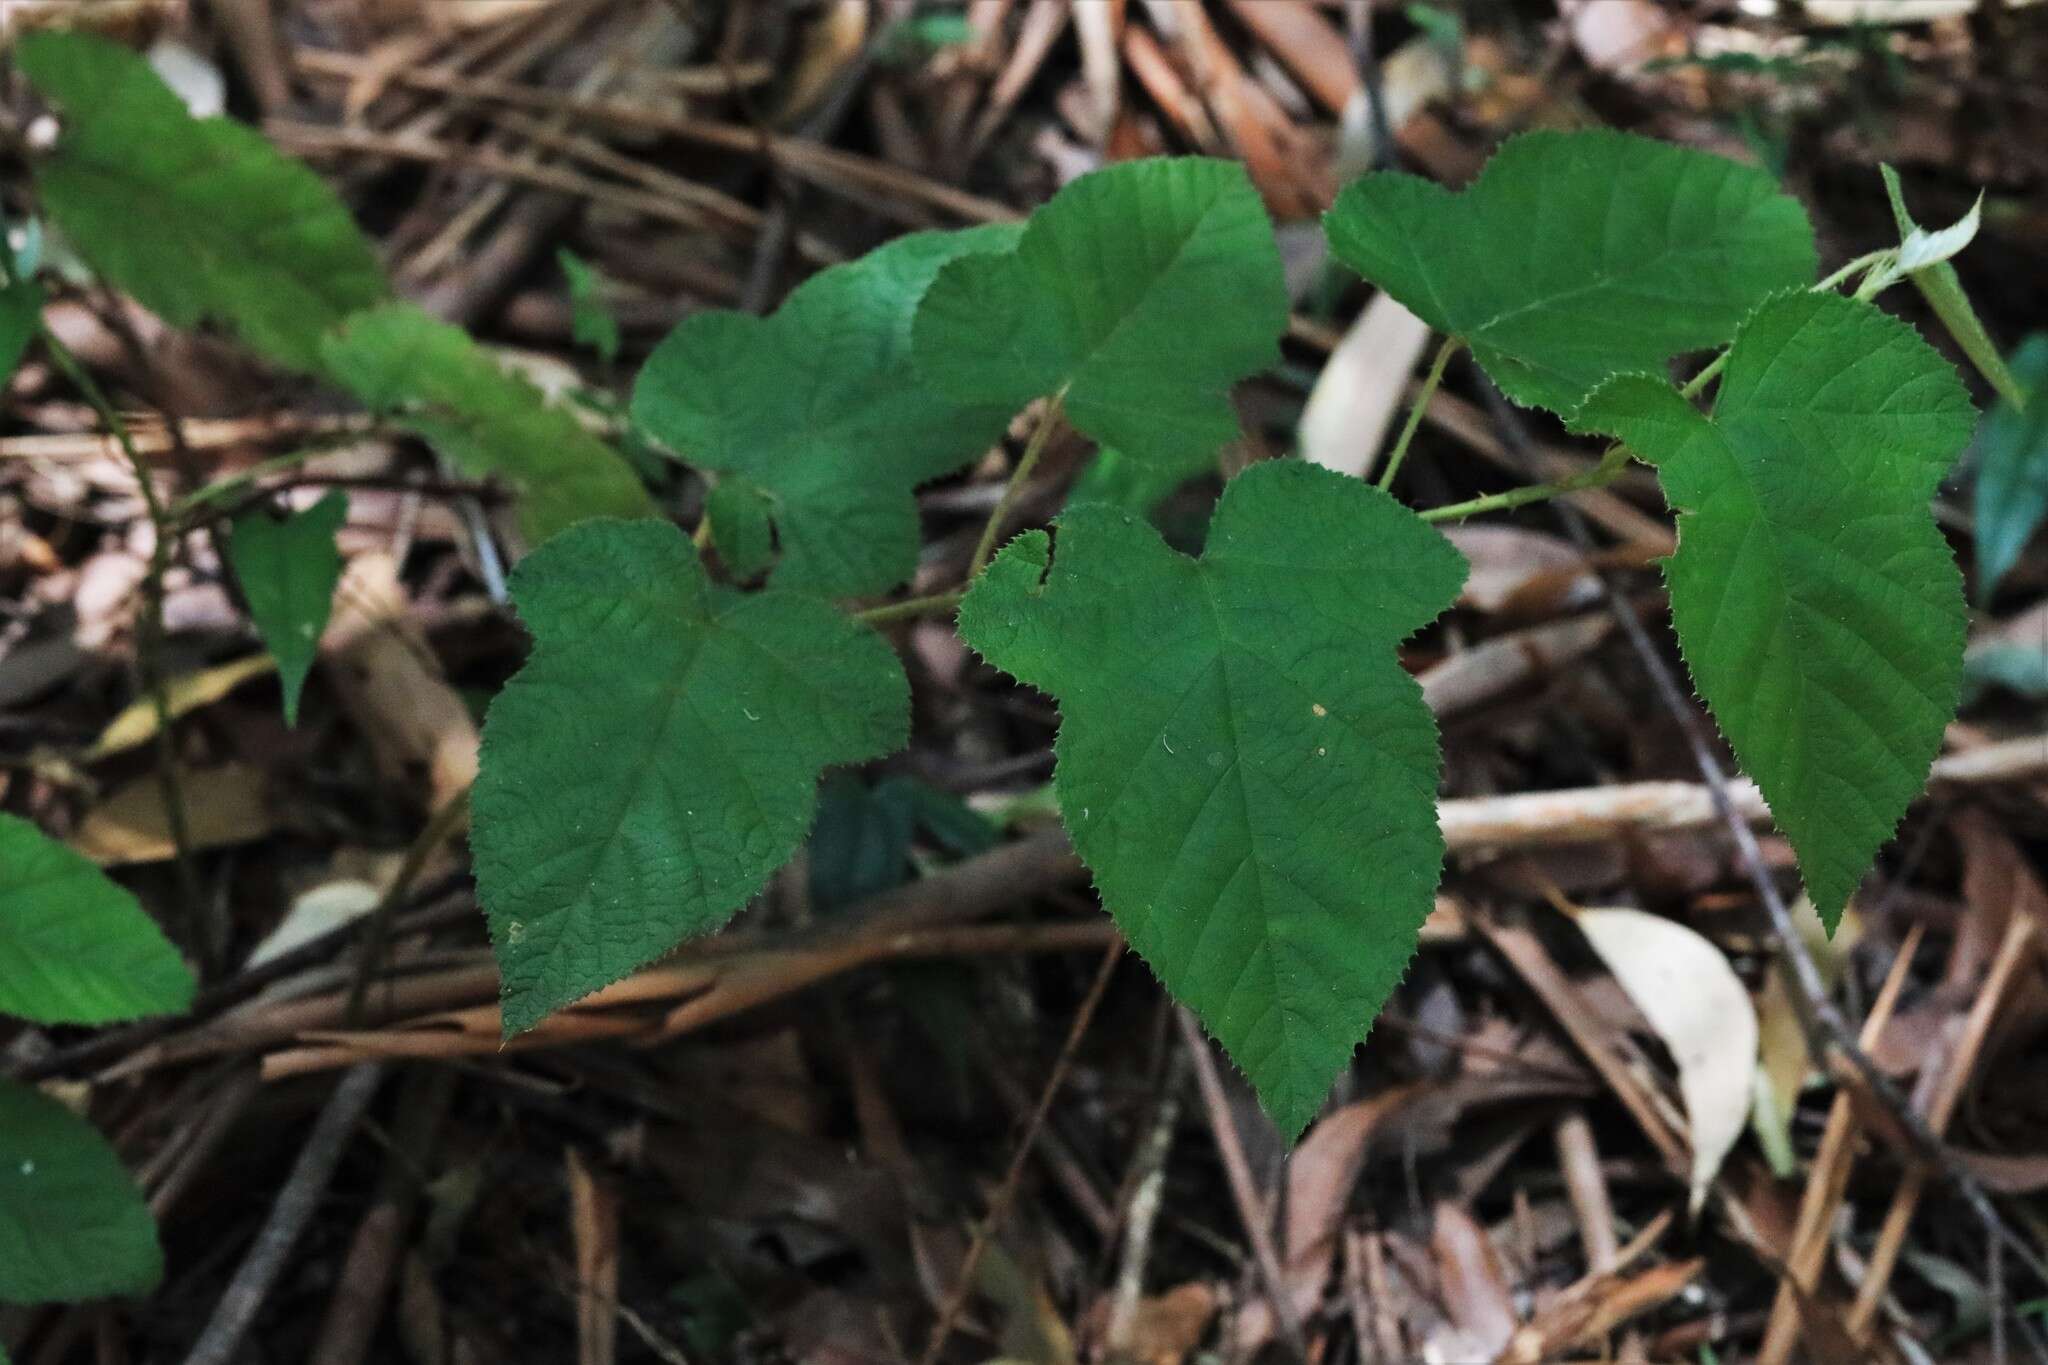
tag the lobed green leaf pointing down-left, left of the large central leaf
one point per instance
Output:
(658, 756)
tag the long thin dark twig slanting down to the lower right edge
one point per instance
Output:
(1826, 1032)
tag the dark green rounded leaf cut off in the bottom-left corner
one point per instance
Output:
(73, 1225)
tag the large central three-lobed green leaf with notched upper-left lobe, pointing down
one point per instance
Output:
(1242, 760)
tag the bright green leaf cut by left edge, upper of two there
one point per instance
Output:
(75, 946)
